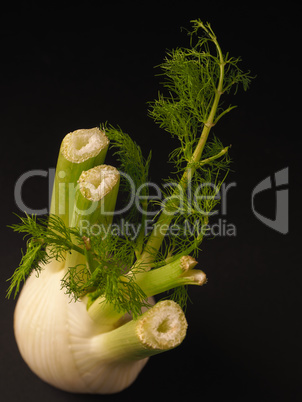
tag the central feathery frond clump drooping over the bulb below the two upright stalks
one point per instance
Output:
(111, 257)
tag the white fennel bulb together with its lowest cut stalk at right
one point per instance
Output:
(69, 350)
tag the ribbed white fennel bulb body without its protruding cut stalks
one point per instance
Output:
(55, 336)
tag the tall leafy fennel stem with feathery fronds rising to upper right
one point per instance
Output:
(194, 79)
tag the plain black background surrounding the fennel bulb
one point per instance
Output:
(64, 69)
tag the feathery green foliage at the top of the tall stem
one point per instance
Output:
(191, 77)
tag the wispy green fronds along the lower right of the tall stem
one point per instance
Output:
(190, 209)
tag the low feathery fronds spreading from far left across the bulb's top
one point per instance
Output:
(109, 258)
